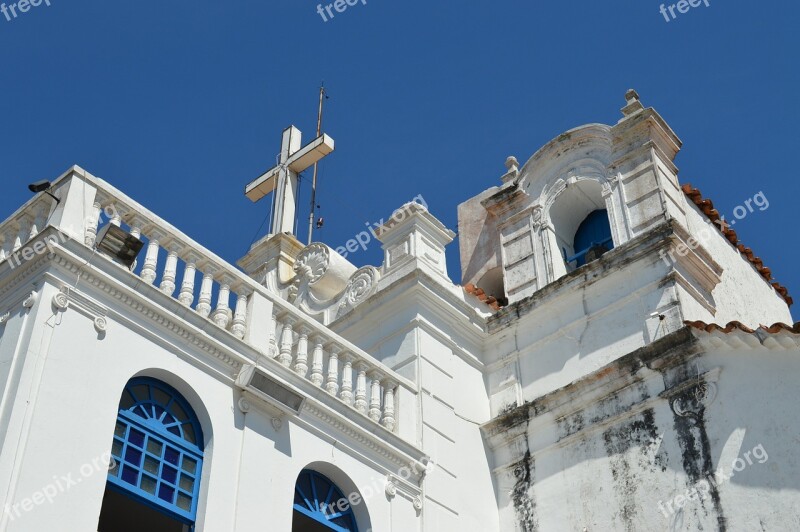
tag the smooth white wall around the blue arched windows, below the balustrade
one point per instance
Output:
(65, 407)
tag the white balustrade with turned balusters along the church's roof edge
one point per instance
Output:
(242, 307)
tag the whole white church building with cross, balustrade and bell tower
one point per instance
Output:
(615, 360)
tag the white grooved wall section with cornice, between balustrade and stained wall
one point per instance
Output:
(430, 340)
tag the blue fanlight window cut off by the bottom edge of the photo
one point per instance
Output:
(320, 506)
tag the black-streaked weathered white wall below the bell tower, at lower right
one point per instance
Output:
(650, 442)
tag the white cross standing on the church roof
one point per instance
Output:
(283, 178)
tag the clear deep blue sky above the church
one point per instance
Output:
(180, 104)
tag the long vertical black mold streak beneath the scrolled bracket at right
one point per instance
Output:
(696, 447)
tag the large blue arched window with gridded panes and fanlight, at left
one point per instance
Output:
(157, 449)
